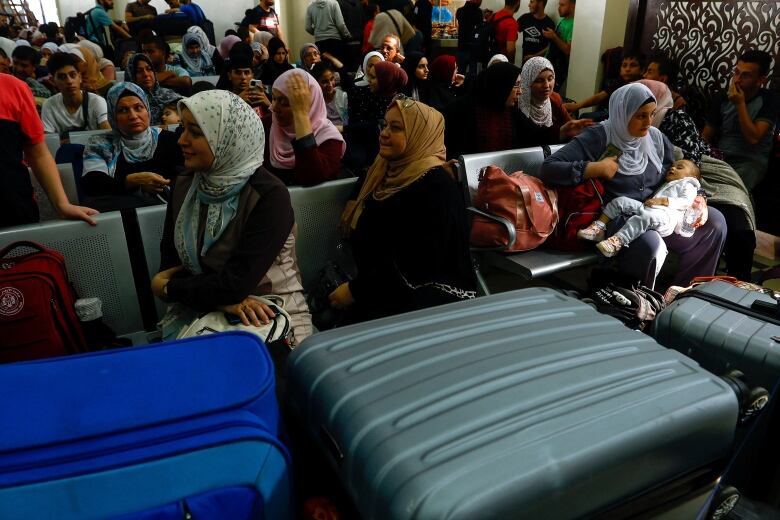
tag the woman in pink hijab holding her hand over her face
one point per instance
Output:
(304, 147)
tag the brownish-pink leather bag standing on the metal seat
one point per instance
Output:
(521, 199)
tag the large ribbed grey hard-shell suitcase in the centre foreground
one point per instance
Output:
(526, 404)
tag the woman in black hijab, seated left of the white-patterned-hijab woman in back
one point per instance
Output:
(486, 120)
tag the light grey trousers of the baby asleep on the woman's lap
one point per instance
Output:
(640, 218)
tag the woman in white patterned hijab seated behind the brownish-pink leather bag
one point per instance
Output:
(542, 119)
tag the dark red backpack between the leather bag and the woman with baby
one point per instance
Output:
(578, 206)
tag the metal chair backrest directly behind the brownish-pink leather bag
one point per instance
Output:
(526, 159)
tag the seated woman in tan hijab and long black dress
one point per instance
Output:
(408, 223)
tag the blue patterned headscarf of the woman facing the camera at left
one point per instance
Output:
(102, 151)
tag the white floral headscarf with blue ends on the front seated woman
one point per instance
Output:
(235, 135)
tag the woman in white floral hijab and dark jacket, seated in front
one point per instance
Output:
(230, 229)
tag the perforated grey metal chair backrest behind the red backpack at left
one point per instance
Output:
(97, 260)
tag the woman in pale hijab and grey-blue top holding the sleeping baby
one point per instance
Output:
(630, 157)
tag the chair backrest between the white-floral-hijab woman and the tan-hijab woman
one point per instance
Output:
(317, 213)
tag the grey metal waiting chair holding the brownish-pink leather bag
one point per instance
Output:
(533, 264)
